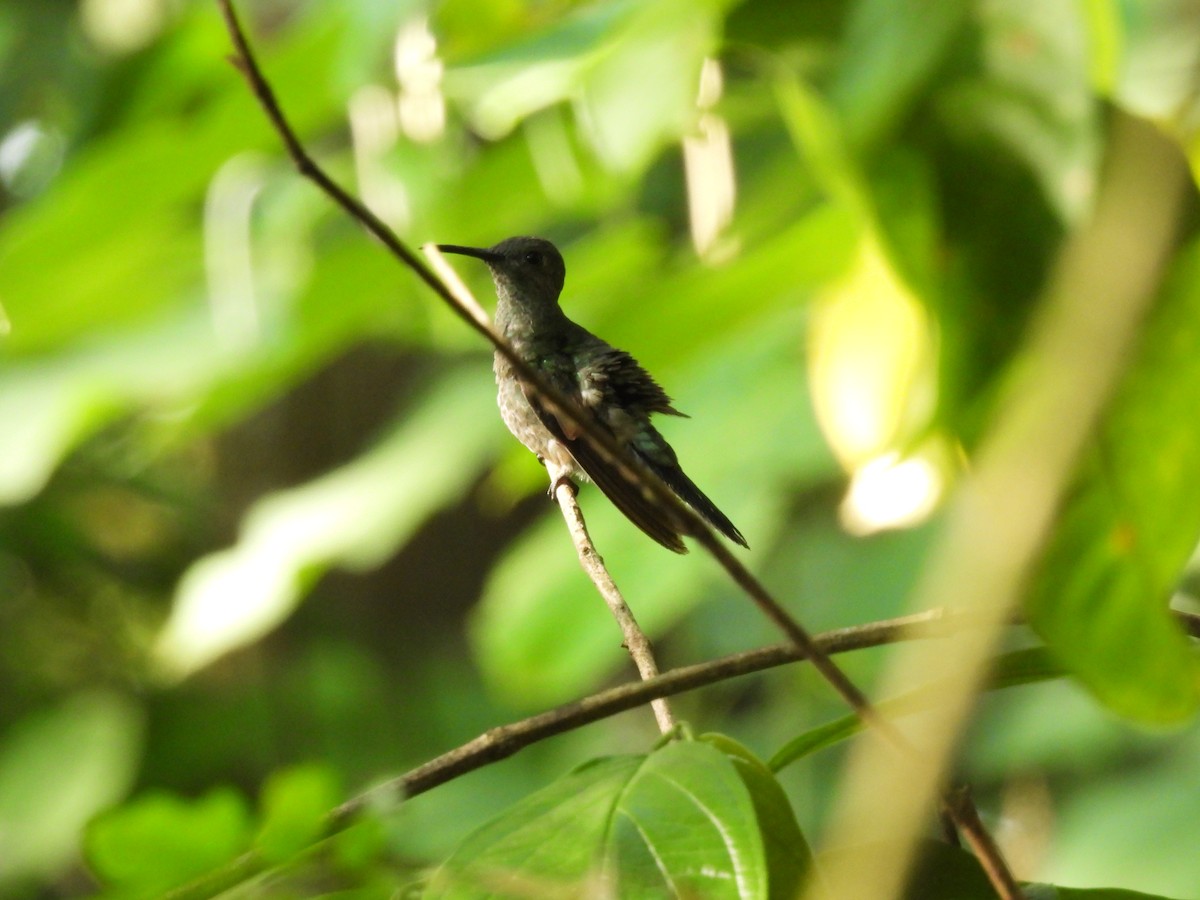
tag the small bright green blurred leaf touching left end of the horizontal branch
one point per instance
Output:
(296, 807)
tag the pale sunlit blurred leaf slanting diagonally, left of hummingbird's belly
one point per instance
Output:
(356, 517)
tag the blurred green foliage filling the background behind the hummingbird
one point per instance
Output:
(257, 508)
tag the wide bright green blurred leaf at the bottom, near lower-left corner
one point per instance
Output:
(160, 841)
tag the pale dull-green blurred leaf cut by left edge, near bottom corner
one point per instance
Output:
(58, 769)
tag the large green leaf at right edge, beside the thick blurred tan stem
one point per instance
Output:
(1133, 520)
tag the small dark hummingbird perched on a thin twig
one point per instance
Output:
(608, 385)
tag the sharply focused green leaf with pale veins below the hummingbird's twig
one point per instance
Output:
(677, 823)
